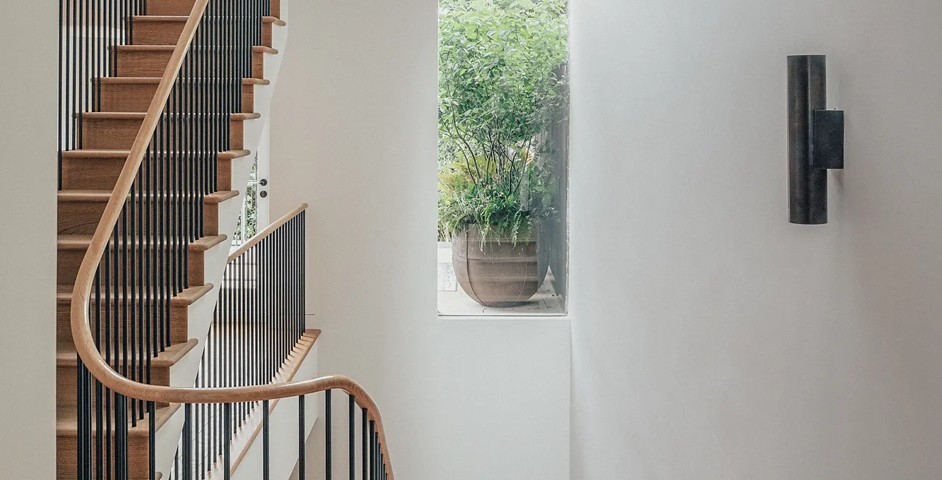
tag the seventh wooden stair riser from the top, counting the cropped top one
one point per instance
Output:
(82, 218)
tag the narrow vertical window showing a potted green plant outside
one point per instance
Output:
(503, 157)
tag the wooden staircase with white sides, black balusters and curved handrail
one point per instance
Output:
(173, 352)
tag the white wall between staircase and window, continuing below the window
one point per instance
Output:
(354, 134)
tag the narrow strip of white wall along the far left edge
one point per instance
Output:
(28, 242)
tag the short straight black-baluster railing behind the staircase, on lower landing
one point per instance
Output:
(258, 322)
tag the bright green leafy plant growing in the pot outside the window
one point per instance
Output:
(500, 90)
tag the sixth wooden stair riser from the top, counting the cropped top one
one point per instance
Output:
(102, 173)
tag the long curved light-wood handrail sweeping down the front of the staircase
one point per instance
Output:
(81, 295)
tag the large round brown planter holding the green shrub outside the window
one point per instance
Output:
(496, 272)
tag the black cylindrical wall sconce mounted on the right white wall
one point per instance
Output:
(815, 139)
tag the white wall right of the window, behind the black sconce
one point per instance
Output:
(711, 339)
